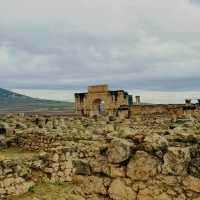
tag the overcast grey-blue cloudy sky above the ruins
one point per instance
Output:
(144, 46)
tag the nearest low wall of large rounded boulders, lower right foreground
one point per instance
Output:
(125, 170)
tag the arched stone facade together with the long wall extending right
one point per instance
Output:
(99, 100)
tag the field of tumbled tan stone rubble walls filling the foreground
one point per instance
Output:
(148, 157)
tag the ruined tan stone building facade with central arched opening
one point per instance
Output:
(100, 100)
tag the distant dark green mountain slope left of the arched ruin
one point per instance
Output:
(14, 102)
